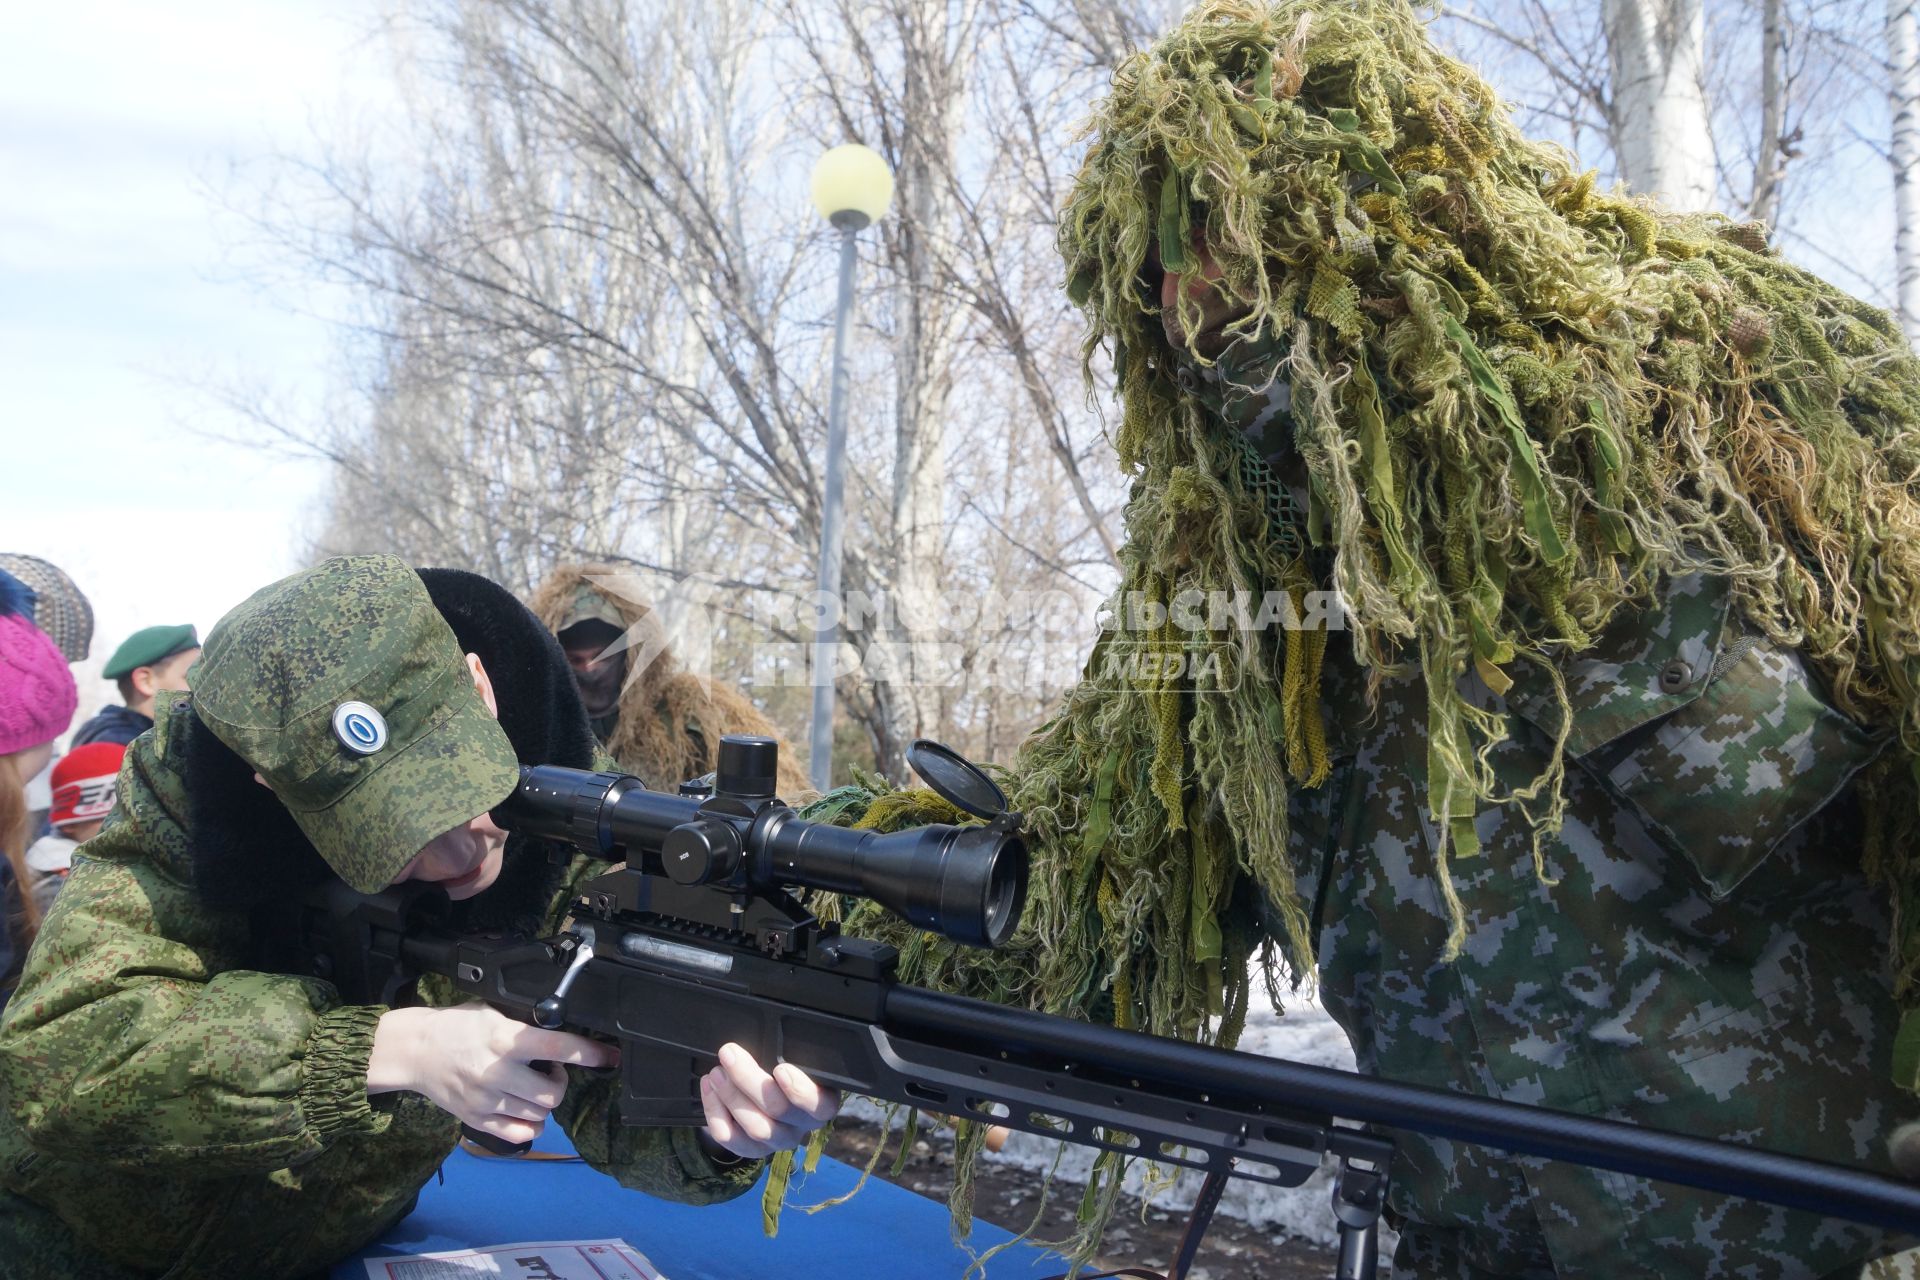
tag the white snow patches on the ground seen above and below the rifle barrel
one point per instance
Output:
(1307, 1035)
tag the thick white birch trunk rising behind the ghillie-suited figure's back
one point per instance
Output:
(1660, 103)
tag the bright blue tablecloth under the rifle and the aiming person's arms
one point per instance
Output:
(882, 1233)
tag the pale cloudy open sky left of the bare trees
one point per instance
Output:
(120, 293)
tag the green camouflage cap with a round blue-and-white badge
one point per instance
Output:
(347, 690)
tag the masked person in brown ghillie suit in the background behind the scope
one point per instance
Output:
(661, 724)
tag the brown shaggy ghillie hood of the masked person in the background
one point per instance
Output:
(671, 723)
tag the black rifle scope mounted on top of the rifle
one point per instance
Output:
(965, 884)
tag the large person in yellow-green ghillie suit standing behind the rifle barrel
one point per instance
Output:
(1604, 799)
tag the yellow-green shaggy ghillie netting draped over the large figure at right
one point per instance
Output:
(1522, 404)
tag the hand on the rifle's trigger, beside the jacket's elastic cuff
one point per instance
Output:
(477, 1064)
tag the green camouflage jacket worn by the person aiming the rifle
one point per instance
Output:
(172, 1114)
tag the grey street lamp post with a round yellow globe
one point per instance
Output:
(852, 189)
